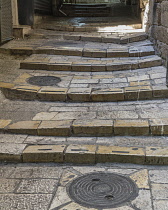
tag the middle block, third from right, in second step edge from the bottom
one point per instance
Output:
(93, 127)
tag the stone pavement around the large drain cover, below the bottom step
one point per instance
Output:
(44, 186)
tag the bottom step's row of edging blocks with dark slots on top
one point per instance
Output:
(88, 154)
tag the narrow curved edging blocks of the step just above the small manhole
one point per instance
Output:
(80, 66)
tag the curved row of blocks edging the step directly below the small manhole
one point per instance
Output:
(29, 92)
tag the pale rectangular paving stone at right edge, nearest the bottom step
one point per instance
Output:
(158, 176)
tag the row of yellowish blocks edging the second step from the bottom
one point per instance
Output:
(95, 127)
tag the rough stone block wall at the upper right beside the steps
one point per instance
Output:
(158, 27)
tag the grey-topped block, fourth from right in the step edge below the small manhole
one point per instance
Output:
(79, 94)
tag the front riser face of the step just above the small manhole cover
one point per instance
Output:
(87, 68)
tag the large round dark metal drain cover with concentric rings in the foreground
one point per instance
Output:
(102, 190)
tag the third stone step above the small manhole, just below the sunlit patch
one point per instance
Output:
(90, 37)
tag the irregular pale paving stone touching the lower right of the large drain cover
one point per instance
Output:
(143, 201)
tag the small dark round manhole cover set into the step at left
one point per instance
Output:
(44, 80)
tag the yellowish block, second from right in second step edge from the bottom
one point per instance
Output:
(131, 127)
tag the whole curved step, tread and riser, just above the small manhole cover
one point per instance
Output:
(78, 64)
